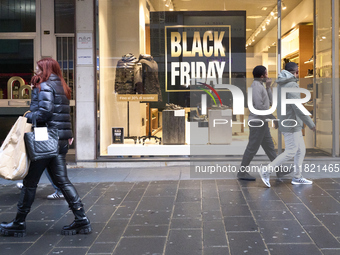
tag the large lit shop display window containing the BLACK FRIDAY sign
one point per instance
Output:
(159, 73)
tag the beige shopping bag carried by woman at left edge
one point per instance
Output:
(14, 162)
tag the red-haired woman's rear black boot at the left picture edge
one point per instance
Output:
(16, 227)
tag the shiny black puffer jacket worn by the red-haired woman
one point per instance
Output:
(51, 107)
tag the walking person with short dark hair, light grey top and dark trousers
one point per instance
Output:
(259, 133)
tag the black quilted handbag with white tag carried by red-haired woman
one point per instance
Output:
(42, 143)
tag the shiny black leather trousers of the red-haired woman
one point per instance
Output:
(57, 169)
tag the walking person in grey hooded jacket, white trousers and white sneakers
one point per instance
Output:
(292, 128)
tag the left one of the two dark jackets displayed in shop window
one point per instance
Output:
(124, 83)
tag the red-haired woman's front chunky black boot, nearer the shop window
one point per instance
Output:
(80, 225)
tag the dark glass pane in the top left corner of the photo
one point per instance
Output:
(17, 16)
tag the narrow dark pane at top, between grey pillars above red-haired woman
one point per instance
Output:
(64, 16)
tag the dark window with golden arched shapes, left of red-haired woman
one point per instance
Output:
(16, 68)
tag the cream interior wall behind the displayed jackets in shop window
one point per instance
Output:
(121, 31)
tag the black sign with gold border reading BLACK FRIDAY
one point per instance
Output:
(196, 54)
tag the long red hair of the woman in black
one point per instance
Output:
(47, 67)
